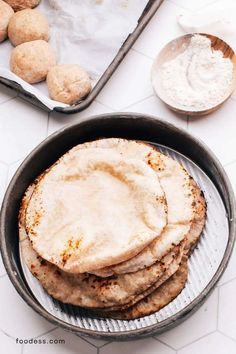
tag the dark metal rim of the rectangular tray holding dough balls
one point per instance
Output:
(149, 11)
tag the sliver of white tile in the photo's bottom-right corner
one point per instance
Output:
(212, 344)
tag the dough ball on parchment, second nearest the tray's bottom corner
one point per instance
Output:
(32, 60)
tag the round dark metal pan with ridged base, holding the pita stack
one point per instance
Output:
(207, 263)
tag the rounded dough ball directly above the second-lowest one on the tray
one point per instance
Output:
(26, 26)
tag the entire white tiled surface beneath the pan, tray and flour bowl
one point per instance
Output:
(23, 126)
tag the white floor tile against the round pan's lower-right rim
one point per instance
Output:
(202, 322)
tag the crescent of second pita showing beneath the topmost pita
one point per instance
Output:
(180, 195)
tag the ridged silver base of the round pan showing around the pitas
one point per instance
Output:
(203, 264)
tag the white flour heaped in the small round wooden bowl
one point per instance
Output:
(198, 78)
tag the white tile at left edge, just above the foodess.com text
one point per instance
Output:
(17, 319)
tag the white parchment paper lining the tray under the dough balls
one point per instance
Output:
(85, 32)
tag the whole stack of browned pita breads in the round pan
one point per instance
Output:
(110, 226)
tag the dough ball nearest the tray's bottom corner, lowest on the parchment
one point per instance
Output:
(68, 83)
